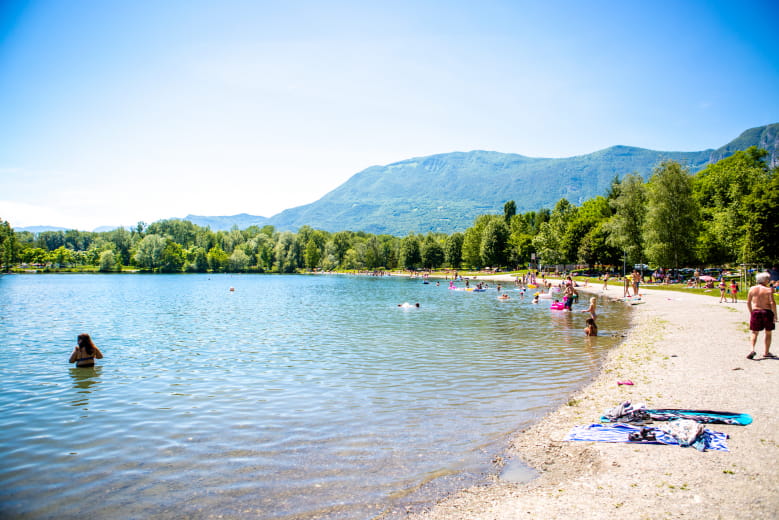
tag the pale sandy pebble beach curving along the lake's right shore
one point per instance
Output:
(683, 351)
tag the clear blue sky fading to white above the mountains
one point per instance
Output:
(116, 112)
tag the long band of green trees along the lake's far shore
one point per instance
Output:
(725, 214)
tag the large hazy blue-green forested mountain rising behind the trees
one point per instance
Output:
(444, 193)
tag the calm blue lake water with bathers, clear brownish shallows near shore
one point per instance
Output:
(289, 397)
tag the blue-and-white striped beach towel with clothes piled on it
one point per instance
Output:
(704, 439)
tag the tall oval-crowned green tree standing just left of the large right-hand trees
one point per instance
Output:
(671, 226)
